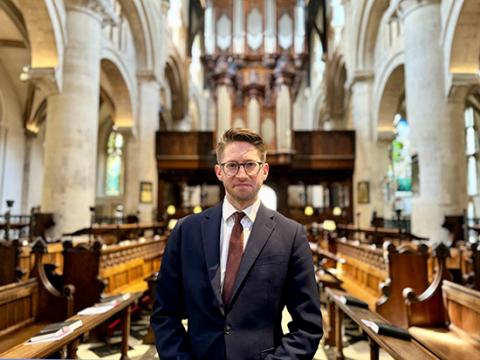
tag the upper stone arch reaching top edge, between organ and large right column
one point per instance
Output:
(366, 30)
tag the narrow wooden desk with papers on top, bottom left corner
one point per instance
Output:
(71, 341)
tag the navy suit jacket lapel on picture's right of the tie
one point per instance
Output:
(262, 228)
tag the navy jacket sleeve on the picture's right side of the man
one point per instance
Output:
(303, 304)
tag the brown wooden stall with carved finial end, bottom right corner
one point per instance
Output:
(446, 316)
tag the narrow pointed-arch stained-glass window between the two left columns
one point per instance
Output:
(114, 164)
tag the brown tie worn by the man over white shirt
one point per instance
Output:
(235, 252)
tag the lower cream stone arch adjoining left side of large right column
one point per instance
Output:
(389, 87)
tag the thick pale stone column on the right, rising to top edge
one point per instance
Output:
(436, 125)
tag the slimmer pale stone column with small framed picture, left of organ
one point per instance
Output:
(140, 163)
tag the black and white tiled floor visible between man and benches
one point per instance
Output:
(354, 349)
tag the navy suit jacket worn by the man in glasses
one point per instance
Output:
(276, 271)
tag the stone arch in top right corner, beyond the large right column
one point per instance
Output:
(461, 43)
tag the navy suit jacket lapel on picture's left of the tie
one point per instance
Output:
(211, 248)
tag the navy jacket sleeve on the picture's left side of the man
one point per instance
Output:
(169, 306)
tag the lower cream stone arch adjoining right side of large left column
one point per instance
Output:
(122, 89)
